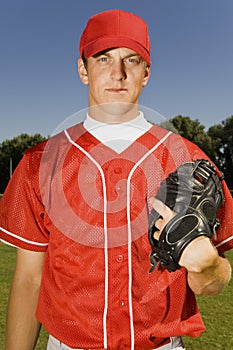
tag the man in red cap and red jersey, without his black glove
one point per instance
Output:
(77, 206)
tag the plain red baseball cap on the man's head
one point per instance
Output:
(115, 28)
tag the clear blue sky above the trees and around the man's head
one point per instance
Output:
(192, 60)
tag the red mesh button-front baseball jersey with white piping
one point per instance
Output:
(86, 206)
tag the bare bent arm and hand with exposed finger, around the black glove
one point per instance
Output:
(208, 273)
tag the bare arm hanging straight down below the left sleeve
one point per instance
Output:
(22, 327)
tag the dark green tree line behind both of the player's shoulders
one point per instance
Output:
(216, 142)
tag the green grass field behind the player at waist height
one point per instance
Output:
(216, 311)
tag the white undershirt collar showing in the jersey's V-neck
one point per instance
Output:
(117, 136)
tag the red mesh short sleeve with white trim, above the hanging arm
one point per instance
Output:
(22, 212)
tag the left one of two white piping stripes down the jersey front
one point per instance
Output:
(105, 234)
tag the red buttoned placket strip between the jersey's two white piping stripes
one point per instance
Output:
(119, 322)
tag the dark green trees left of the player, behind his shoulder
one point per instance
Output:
(11, 151)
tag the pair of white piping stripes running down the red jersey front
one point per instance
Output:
(106, 234)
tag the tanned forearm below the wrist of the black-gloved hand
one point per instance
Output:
(212, 279)
